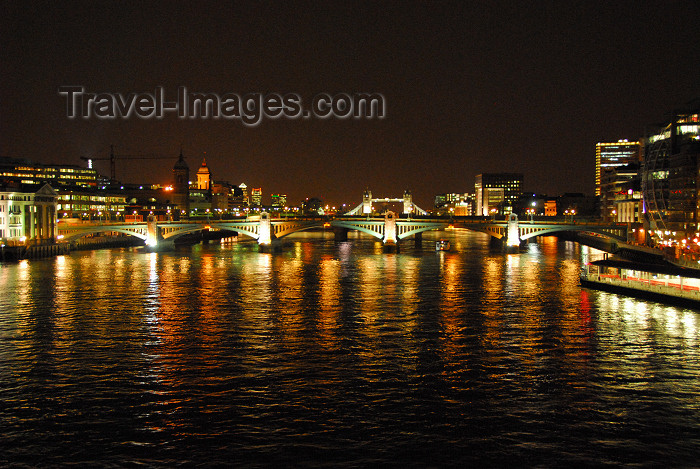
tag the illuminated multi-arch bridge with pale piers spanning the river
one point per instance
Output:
(390, 228)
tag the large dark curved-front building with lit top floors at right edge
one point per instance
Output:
(669, 173)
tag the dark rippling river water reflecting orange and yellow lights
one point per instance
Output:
(336, 354)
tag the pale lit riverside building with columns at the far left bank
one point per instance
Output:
(27, 215)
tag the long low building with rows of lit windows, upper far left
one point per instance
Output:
(24, 171)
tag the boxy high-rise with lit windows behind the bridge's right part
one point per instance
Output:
(496, 192)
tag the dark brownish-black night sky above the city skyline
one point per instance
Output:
(470, 87)
